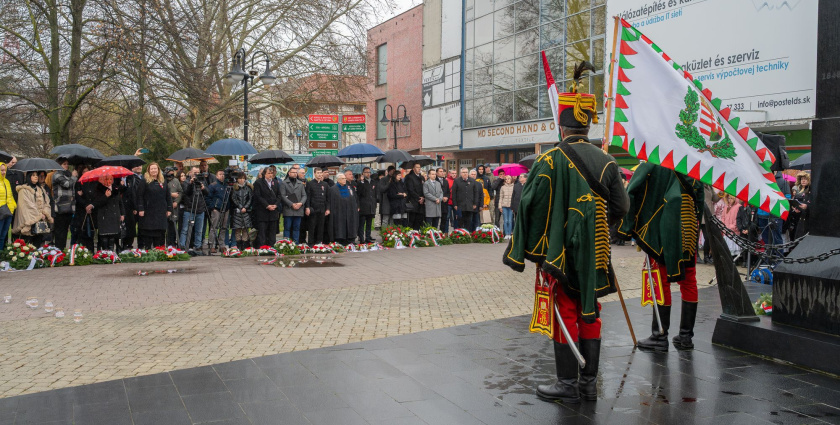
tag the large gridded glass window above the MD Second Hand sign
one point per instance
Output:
(504, 80)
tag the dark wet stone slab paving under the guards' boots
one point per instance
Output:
(483, 373)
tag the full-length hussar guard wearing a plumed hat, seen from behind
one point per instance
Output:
(572, 194)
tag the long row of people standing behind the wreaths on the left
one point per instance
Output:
(206, 213)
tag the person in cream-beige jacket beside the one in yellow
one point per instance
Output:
(33, 207)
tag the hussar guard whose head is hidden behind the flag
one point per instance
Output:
(665, 208)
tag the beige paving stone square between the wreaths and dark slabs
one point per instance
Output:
(219, 310)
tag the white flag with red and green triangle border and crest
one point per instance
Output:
(659, 113)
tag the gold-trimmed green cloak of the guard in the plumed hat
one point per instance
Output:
(562, 226)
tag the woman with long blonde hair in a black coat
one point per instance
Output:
(154, 206)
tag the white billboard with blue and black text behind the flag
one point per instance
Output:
(758, 56)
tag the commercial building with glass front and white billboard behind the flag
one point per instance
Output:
(502, 112)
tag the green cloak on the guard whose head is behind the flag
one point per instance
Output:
(663, 217)
